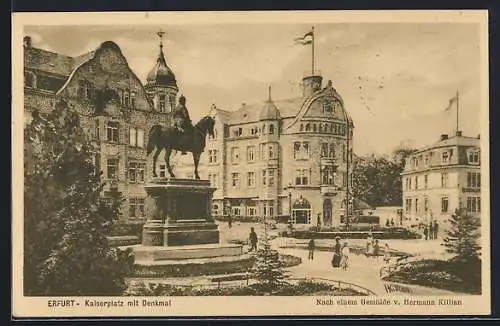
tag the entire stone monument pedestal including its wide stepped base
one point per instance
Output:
(180, 238)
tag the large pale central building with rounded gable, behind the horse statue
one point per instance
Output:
(281, 158)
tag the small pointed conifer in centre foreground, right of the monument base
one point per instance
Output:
(268, 269)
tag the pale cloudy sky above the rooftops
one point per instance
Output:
(396, 79)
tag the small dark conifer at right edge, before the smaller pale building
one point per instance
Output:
(462, 237)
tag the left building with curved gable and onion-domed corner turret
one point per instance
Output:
(116, 110)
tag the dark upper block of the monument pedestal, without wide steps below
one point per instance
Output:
(179, 213)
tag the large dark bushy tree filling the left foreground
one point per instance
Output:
(65, 218)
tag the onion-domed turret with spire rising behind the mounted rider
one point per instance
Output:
(161, 85)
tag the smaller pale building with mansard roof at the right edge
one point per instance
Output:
(442, 177)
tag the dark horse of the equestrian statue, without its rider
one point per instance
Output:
(170, 138)
